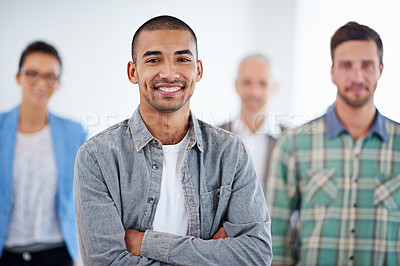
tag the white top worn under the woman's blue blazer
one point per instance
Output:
(34, 219)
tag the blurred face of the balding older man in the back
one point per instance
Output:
(253, 85)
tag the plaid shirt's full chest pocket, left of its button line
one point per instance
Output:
(321, 188)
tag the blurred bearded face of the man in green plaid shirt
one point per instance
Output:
(355, 71)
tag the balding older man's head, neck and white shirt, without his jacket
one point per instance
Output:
(255, 86)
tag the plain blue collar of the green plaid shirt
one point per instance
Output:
(335, 126)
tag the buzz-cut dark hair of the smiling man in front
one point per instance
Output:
(161, 23)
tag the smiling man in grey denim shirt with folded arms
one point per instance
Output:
(164, 187)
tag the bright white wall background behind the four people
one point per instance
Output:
(94, 39)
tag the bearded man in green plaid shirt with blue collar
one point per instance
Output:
(342, 170)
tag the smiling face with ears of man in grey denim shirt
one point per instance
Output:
(166, 69)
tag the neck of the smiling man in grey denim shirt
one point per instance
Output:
(169, 128)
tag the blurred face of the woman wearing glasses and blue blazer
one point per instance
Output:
(39, 78)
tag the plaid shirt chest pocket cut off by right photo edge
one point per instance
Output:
(387, 193)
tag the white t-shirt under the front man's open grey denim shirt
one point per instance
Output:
(171, 215)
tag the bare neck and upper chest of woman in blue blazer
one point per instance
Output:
(31, 118)
